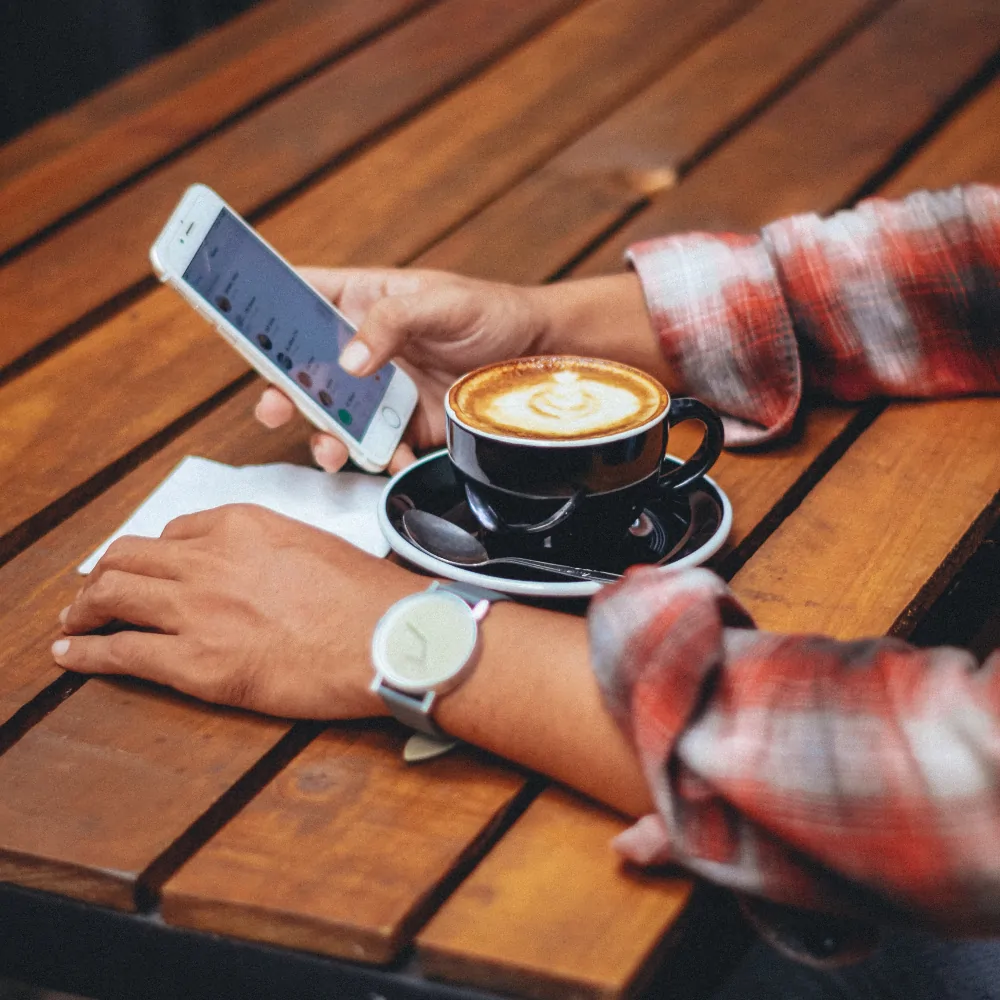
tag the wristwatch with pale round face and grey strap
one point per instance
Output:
(425, 645)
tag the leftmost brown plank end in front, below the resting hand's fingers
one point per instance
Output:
(109, 779)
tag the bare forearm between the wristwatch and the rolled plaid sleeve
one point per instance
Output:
(533, 699)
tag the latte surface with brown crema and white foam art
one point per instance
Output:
(556, 398)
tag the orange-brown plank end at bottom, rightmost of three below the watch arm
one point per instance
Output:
(551, 912)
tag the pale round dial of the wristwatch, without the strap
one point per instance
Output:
(424, 641)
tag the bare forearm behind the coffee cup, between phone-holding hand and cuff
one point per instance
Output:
(603, 317)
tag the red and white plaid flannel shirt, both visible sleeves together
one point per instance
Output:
(853, 777)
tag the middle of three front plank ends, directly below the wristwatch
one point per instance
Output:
(344, 851)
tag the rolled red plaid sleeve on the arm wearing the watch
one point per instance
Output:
(856, 778)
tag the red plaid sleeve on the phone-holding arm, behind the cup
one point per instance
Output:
(893, 298)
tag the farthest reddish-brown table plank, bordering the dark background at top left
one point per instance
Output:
(73, 157)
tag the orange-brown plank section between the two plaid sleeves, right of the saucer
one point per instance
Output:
(881, 524)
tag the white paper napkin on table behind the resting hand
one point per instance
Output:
(343, 503)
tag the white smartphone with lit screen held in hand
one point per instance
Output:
(283, 327)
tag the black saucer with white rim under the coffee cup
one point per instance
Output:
(669, 533)
